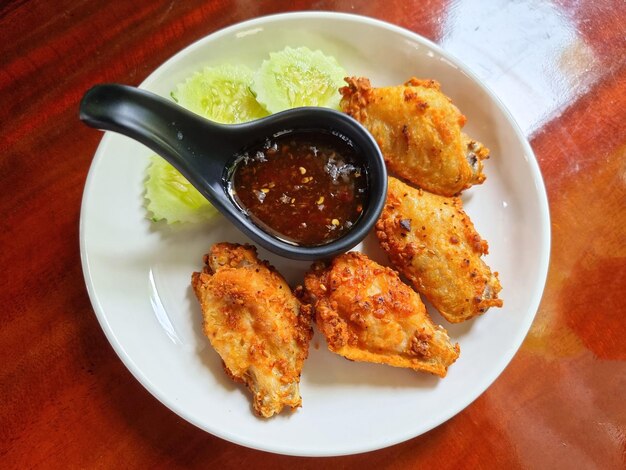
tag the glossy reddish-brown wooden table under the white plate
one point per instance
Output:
(66, 400)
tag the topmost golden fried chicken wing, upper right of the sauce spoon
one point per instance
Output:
(419, 133)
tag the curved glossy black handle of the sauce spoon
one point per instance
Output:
(178, 135)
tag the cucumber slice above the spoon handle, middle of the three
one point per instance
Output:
(221, 94)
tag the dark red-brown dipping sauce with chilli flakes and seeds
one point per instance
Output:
(305, 187)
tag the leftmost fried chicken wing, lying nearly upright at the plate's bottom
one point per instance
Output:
(255, 323)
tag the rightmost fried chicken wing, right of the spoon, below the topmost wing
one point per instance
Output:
(432, 241)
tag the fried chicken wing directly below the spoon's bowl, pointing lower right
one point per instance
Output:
(368, 314)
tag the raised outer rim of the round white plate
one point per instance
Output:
(515, 343)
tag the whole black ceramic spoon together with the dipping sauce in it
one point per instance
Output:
(346, 170)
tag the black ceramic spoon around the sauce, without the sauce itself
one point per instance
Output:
(203, 152)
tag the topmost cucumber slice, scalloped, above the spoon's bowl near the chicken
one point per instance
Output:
(298, 77)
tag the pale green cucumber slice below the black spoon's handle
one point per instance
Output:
(171, 197)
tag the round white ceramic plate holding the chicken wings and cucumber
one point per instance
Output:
(138, 273)
